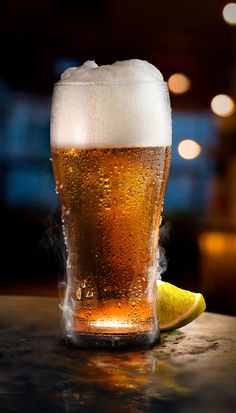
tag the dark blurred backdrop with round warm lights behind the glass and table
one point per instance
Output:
(194, 46)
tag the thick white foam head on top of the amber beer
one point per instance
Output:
(125, 104)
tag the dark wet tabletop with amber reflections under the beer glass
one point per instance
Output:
(192, 369)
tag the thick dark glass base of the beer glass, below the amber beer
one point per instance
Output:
(114, 341)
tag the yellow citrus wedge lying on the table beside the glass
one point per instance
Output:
(177, 307)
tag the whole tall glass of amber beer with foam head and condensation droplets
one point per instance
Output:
(111, 148)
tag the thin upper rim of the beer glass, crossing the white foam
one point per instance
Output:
(102, 83)
